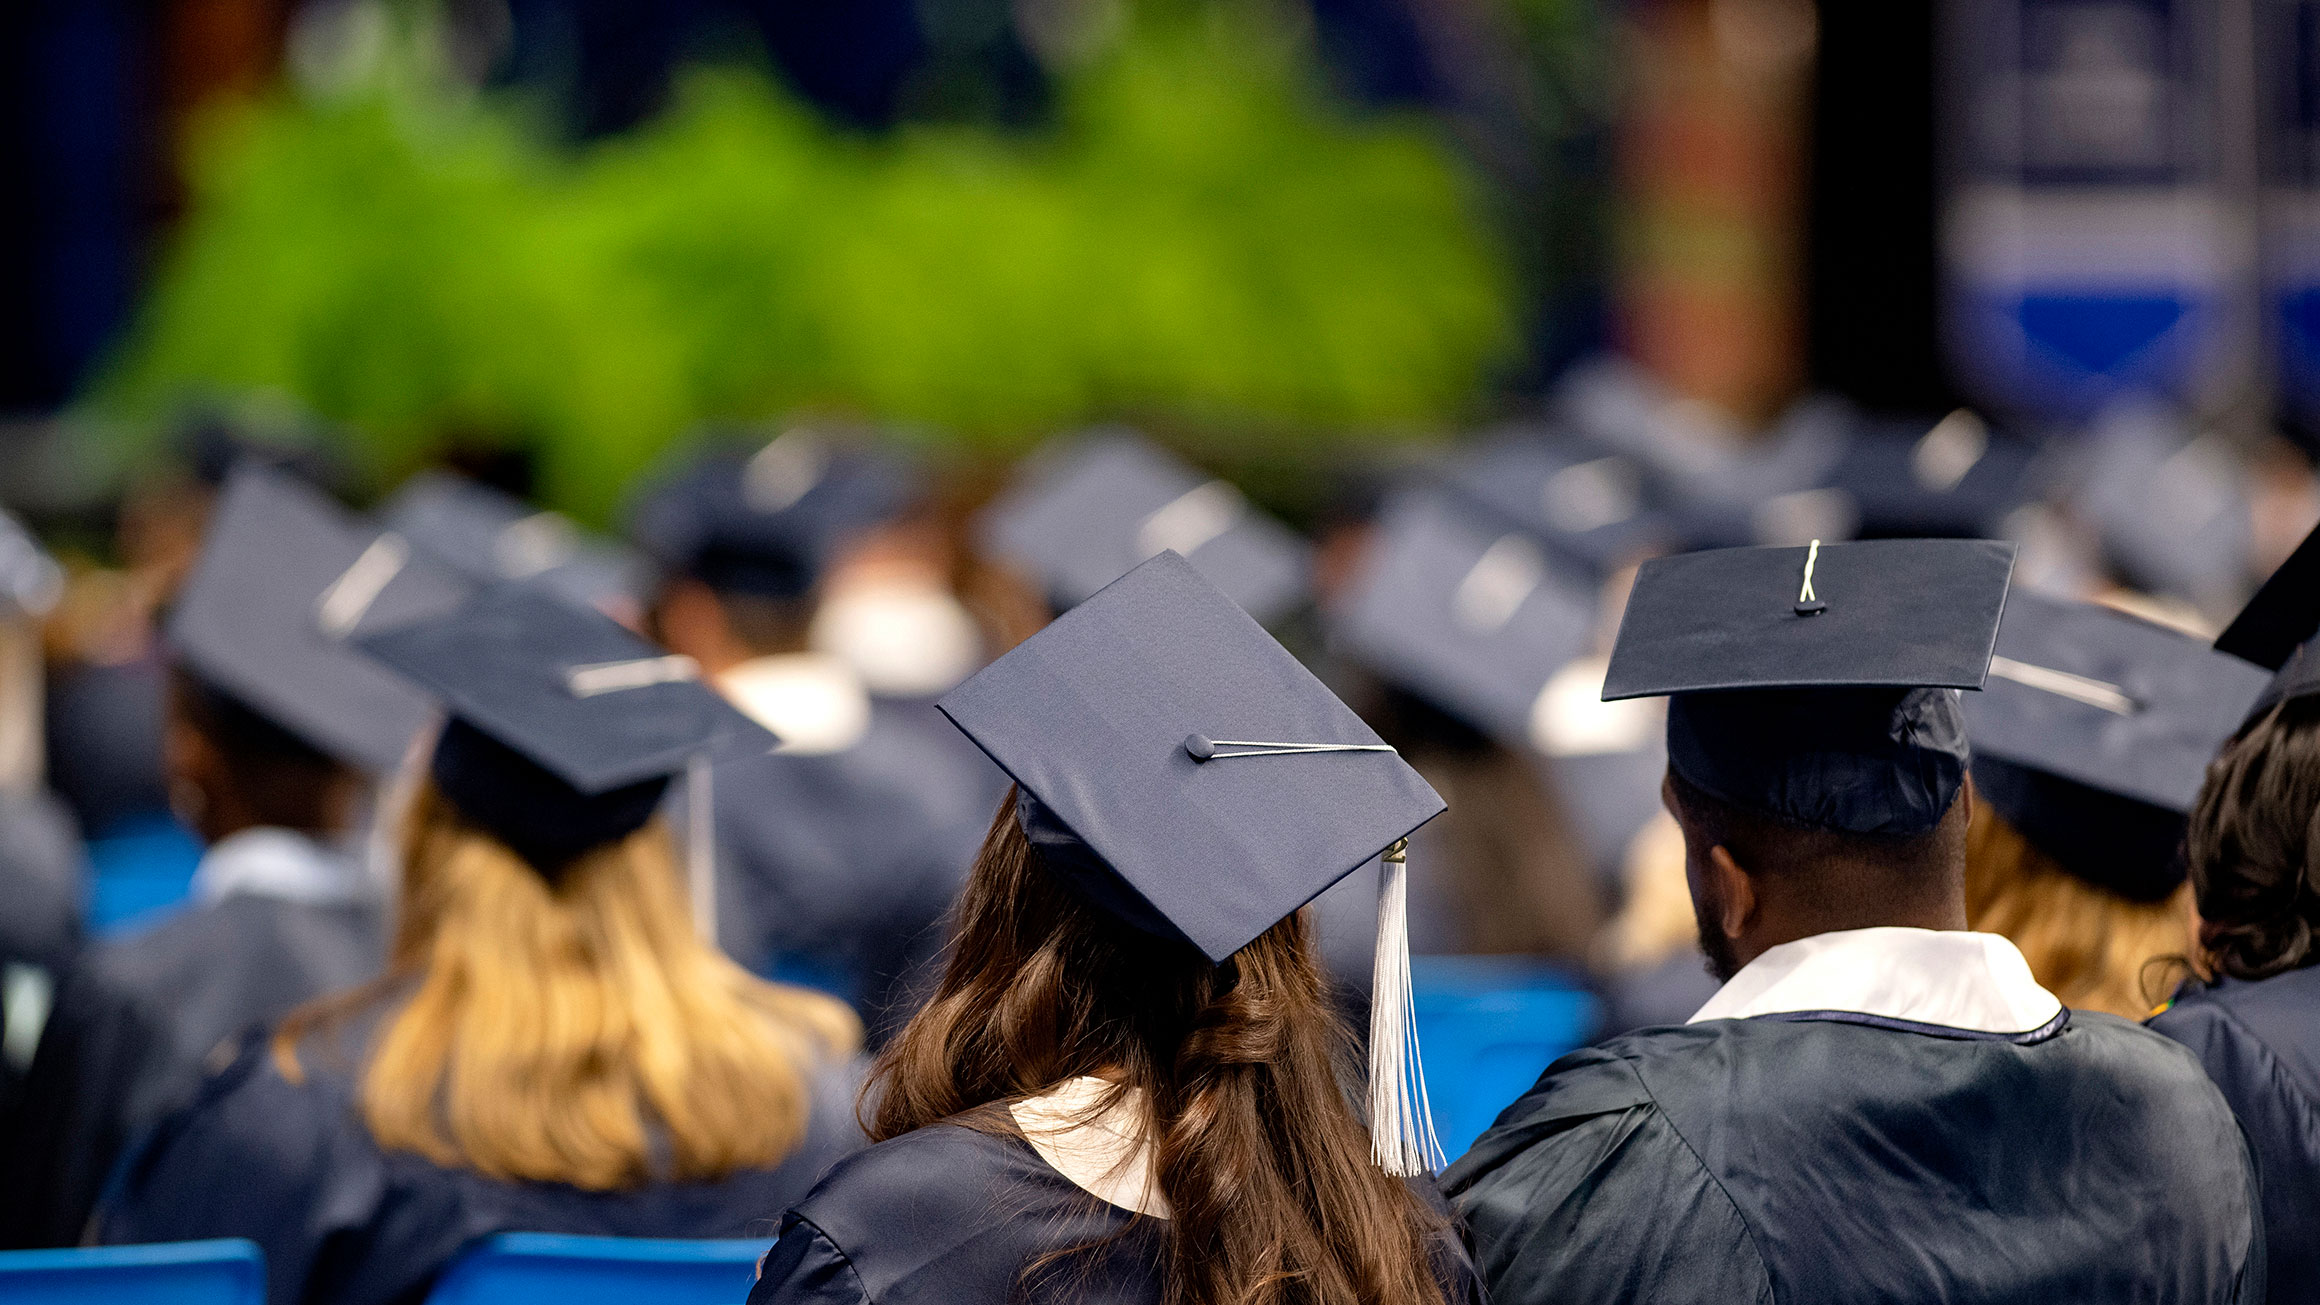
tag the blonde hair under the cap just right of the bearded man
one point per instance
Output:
(2089, 946)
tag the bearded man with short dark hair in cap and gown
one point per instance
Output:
(1878, 1104)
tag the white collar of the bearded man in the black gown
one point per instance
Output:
(1924, 976)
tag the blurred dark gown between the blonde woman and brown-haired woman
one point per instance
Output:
(836, 870)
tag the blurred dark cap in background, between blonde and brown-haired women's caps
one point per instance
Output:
(769, 521)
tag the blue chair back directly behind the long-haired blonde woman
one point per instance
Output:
(519, 1269)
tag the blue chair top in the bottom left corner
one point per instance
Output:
(168, 1274)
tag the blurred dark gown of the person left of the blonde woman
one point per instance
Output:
(136, 1025)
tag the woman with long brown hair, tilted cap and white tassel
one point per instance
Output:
(1131, 1086)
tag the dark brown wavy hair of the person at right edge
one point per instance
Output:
(2254, 849)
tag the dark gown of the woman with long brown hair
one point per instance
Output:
(957, 1216)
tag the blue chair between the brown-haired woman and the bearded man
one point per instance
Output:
(1486, 1028)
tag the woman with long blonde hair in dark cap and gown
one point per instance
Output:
(553, 1044)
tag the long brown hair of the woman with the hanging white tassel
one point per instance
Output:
(1256, 1146)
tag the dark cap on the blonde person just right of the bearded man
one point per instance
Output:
(2094, 737)
